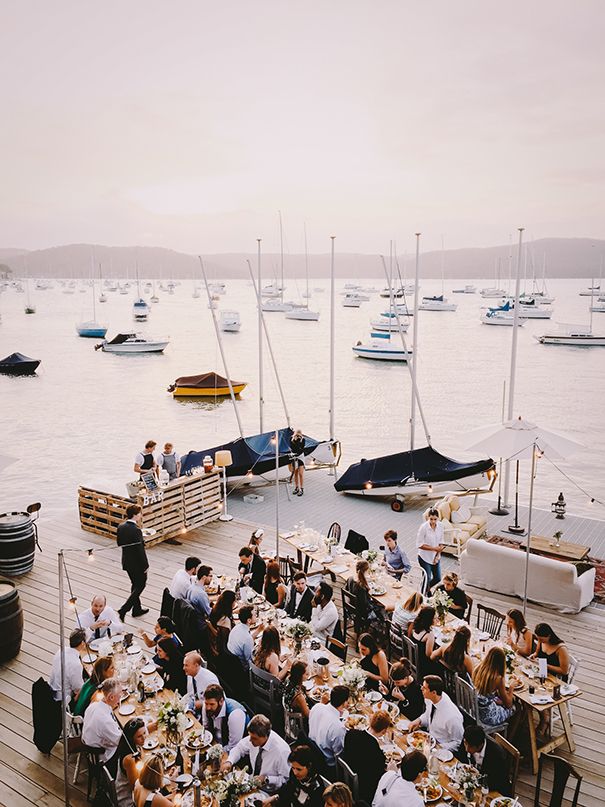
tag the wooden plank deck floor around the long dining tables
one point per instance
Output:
(28, 777)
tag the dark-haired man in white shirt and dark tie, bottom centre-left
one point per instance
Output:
(267, 751)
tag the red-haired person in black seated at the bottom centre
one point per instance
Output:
(364, 756)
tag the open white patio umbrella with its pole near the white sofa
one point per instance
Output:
(520, 440)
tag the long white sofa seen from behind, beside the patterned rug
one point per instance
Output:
(553, 583)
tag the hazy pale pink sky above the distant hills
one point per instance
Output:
(188, 124)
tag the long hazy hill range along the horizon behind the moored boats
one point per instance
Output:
(563, 257)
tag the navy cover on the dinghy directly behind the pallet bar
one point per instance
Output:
(254, 454)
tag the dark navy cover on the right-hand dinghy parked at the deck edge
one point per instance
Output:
(420, 465)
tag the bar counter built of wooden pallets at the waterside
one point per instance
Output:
(189, 502)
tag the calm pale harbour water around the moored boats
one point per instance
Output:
(86, 414)
